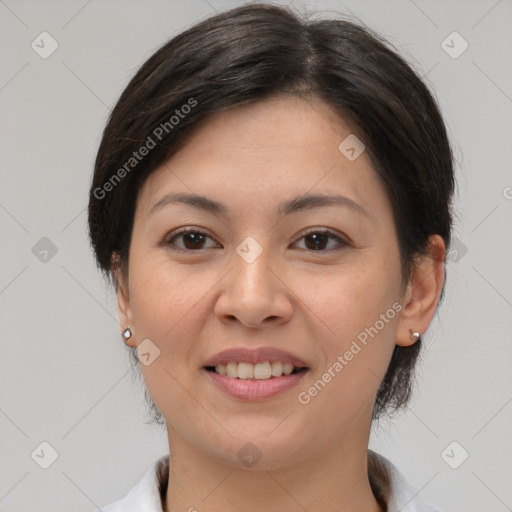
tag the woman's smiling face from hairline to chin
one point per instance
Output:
(310, 281)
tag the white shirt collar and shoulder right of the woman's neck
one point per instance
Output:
(400, 496)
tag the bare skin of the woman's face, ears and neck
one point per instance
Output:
(194, 304)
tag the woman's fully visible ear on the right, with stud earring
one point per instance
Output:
(423, 292)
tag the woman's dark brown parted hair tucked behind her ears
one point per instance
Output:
(250, 53)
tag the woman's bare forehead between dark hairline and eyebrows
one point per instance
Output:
(272, 149)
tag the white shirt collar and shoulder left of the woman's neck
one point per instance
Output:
(146, 496)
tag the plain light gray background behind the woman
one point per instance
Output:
(64, 371)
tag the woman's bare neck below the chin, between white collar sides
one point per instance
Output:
(333, 480)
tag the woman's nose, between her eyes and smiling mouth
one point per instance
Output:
(254, 294)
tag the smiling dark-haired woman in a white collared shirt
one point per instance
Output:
(271, 198)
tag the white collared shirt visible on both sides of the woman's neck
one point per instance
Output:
(145, 496)
